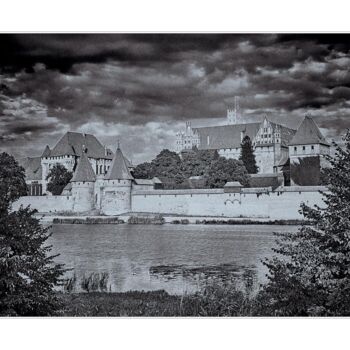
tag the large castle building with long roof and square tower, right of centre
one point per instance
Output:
(275, 145)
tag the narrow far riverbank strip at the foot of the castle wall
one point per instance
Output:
(156, 219)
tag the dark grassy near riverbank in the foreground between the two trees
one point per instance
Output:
(218, 302)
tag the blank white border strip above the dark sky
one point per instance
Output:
(174, 16)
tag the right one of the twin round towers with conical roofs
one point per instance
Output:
(116, 193)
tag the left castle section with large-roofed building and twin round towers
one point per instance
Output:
(101, 181)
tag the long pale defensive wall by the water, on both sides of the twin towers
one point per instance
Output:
(281, 204)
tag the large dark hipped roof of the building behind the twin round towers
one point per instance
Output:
(72, 143)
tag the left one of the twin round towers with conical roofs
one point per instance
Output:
(83, 183)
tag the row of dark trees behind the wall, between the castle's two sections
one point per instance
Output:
(214, 171)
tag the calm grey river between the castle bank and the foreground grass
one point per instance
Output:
(177, 258)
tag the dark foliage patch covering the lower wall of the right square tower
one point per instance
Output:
(306, 172)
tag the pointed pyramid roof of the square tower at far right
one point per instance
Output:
(308, 133)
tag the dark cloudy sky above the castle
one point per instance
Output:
(141, 88)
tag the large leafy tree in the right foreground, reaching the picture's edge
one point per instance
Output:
(310, 275)
